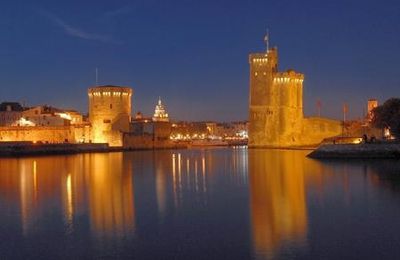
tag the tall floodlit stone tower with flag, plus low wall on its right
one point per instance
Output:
(276, 107)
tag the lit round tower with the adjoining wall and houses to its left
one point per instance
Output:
(109, 118)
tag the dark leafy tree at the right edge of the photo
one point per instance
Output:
(388, 115)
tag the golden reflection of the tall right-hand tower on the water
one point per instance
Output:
(277, 181)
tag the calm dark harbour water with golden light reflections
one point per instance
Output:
(199, 204)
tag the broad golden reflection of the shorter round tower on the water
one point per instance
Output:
(110, 197)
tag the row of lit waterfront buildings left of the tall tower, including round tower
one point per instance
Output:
(109, 121)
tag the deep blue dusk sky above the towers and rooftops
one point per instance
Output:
(194, 54)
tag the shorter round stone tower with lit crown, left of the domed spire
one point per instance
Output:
(109, 113)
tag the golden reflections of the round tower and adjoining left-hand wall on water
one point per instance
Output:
(100, 185)
